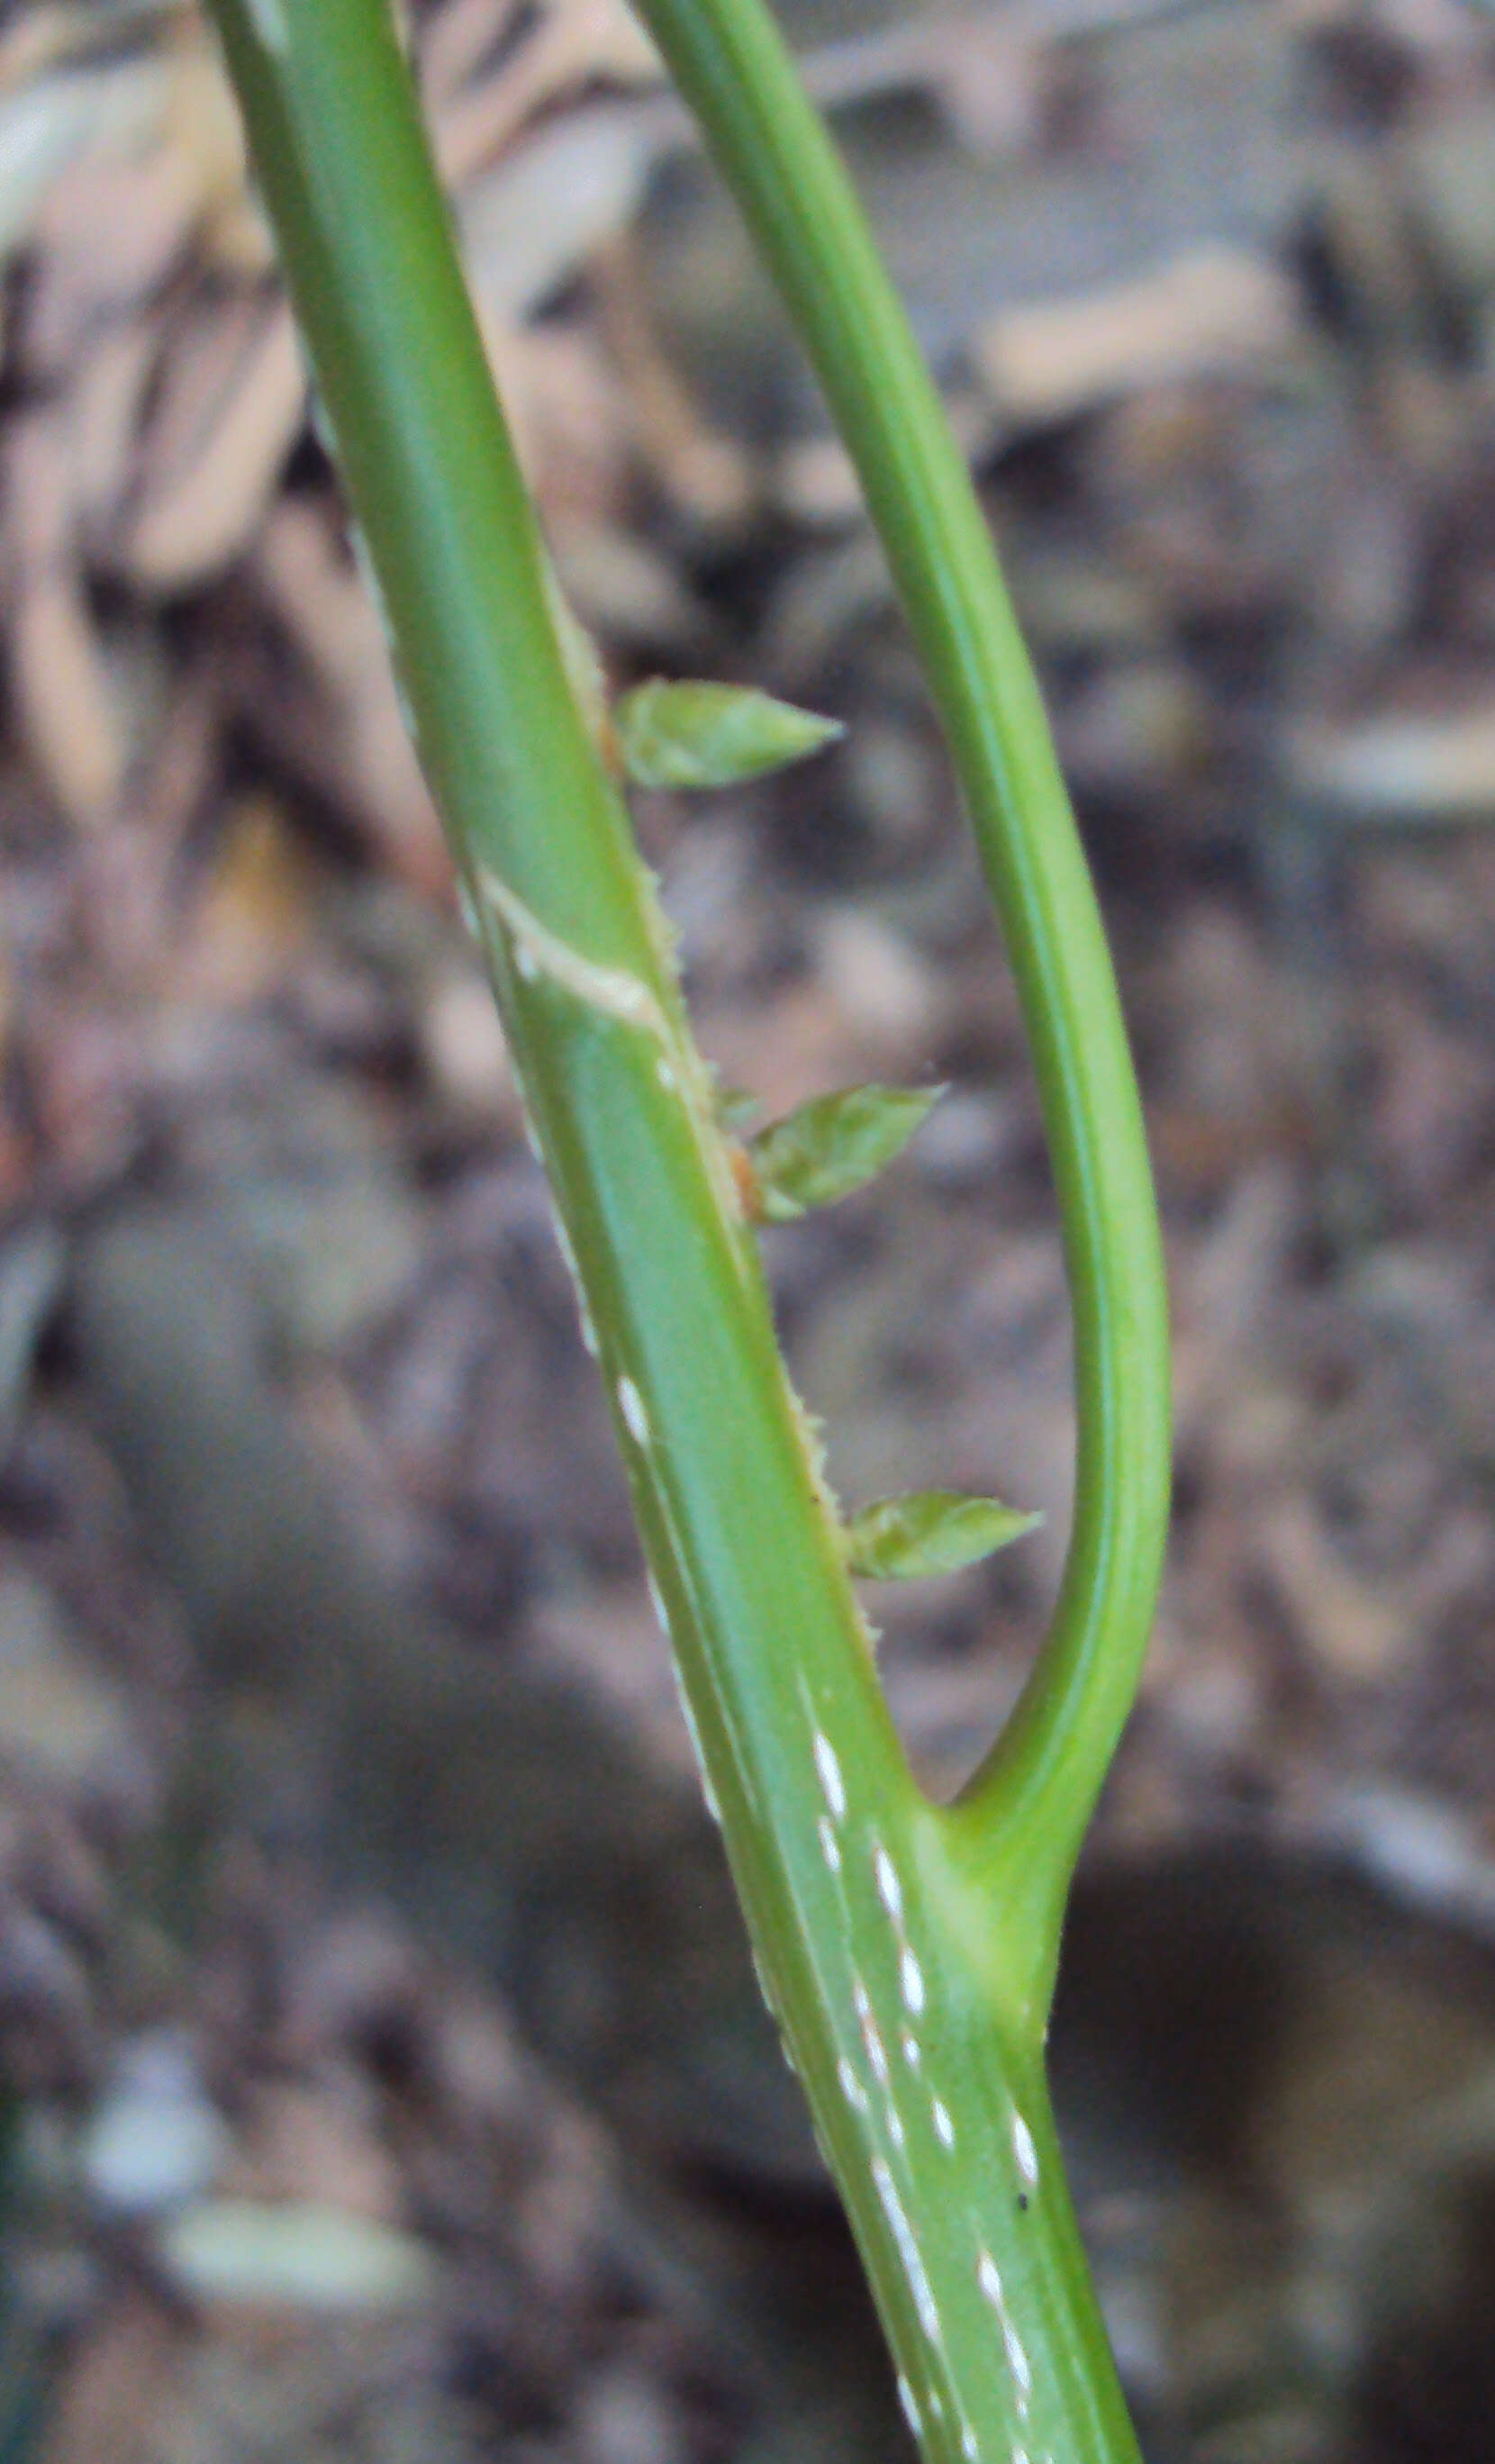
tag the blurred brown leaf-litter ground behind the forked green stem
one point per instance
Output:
(385, 2081)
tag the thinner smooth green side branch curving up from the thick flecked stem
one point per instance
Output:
(1028, 1810)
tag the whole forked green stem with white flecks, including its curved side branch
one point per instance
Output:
(908, 1950)
